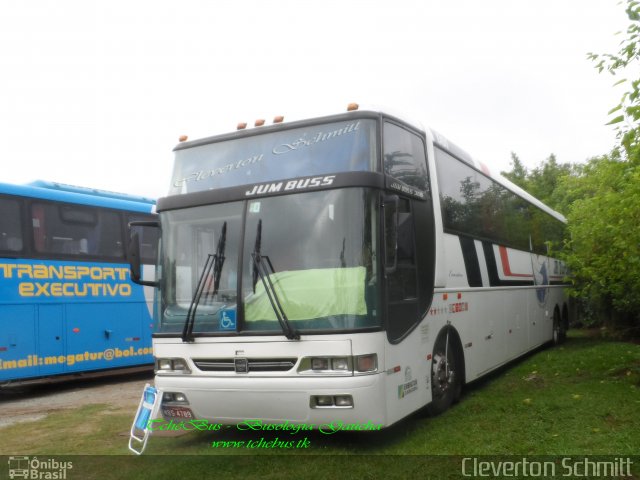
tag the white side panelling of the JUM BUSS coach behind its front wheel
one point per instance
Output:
(497, 324)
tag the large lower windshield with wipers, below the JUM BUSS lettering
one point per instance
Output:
(311, 256)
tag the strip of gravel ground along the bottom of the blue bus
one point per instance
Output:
(23, 404)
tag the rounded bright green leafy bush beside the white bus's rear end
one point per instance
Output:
(604, 253)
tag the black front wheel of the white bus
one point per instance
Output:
(445, 381)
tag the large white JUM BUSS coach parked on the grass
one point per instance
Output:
(348, 269)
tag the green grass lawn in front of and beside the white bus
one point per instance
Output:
(579, 399)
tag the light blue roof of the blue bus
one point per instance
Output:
(79, 195)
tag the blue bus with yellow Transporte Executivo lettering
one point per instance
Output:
(67, 305)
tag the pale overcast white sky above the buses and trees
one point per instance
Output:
(97, 93)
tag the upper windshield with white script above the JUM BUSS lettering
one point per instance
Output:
(313, 150)
